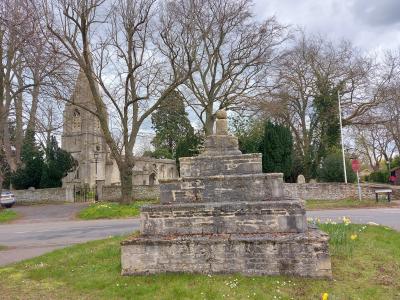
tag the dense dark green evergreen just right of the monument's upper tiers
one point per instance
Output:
(277, 149)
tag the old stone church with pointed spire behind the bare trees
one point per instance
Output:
(84, 139)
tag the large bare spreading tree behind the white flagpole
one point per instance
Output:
(313, 68)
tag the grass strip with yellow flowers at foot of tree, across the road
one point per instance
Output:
(110, 210)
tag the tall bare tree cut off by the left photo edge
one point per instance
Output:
(16, 30)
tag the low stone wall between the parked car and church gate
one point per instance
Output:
(57, 195)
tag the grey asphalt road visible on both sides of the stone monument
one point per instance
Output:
(48, 227)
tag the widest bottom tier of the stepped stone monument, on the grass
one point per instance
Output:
(296, 254)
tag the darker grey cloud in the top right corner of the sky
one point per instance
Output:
(377, 12)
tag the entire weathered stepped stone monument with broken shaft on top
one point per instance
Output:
(225, 216)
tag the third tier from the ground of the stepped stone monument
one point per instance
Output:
(250, 187)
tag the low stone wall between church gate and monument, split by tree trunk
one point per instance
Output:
(140, 192)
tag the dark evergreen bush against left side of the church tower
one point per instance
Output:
(57, 164)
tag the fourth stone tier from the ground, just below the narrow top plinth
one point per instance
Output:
(221, 165)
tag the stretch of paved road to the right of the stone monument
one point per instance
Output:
(384, 216)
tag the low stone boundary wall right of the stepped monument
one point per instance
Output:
(334, 191)
